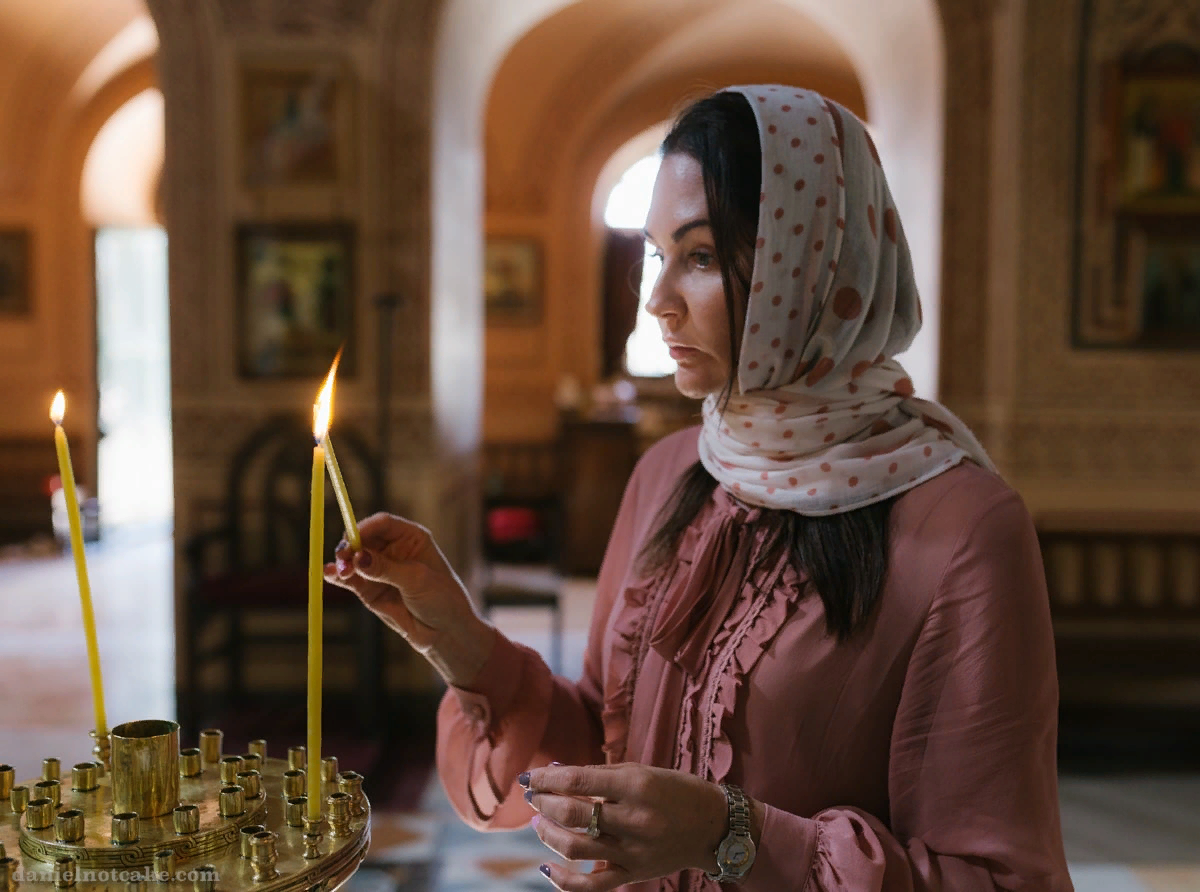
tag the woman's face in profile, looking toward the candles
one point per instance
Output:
(689, 296)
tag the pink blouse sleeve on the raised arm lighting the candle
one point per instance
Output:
(519, 715)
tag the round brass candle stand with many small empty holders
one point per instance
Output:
(147, 815)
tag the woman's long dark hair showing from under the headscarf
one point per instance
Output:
(844, 555)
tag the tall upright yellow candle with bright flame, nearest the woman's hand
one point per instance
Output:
(321, 418)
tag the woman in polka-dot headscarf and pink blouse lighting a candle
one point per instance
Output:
(821, 621)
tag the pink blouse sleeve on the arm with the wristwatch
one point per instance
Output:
(973, 775)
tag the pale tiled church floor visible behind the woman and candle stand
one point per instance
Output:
(1123, 835)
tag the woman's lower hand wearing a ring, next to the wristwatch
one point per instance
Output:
(653, 822)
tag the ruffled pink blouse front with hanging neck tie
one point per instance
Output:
(704, 622)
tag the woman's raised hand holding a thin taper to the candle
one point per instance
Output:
(401, 576)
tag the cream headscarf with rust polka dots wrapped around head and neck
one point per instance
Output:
(825, 420)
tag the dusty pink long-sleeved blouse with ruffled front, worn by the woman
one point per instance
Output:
(917, 756)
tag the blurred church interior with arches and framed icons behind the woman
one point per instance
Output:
(201, 203)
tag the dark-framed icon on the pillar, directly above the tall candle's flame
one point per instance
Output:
(296, 292)
